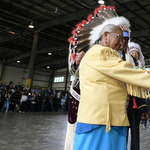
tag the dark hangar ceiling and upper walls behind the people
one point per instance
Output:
(53, 22)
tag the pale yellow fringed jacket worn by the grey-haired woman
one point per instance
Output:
(105, 82)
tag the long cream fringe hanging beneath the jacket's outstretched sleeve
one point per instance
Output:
(137, 91)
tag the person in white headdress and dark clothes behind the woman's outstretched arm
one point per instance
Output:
(137, 108)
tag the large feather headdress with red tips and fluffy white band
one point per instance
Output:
(88, 31)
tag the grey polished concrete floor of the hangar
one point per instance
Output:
(41, 131)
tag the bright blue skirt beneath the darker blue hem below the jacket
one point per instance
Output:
(98, 139)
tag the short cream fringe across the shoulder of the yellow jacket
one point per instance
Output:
(108, 52)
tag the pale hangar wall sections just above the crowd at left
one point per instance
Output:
(40, 78)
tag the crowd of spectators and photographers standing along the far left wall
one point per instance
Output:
(34, 99)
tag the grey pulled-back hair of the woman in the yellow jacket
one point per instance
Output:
(108, 28)
